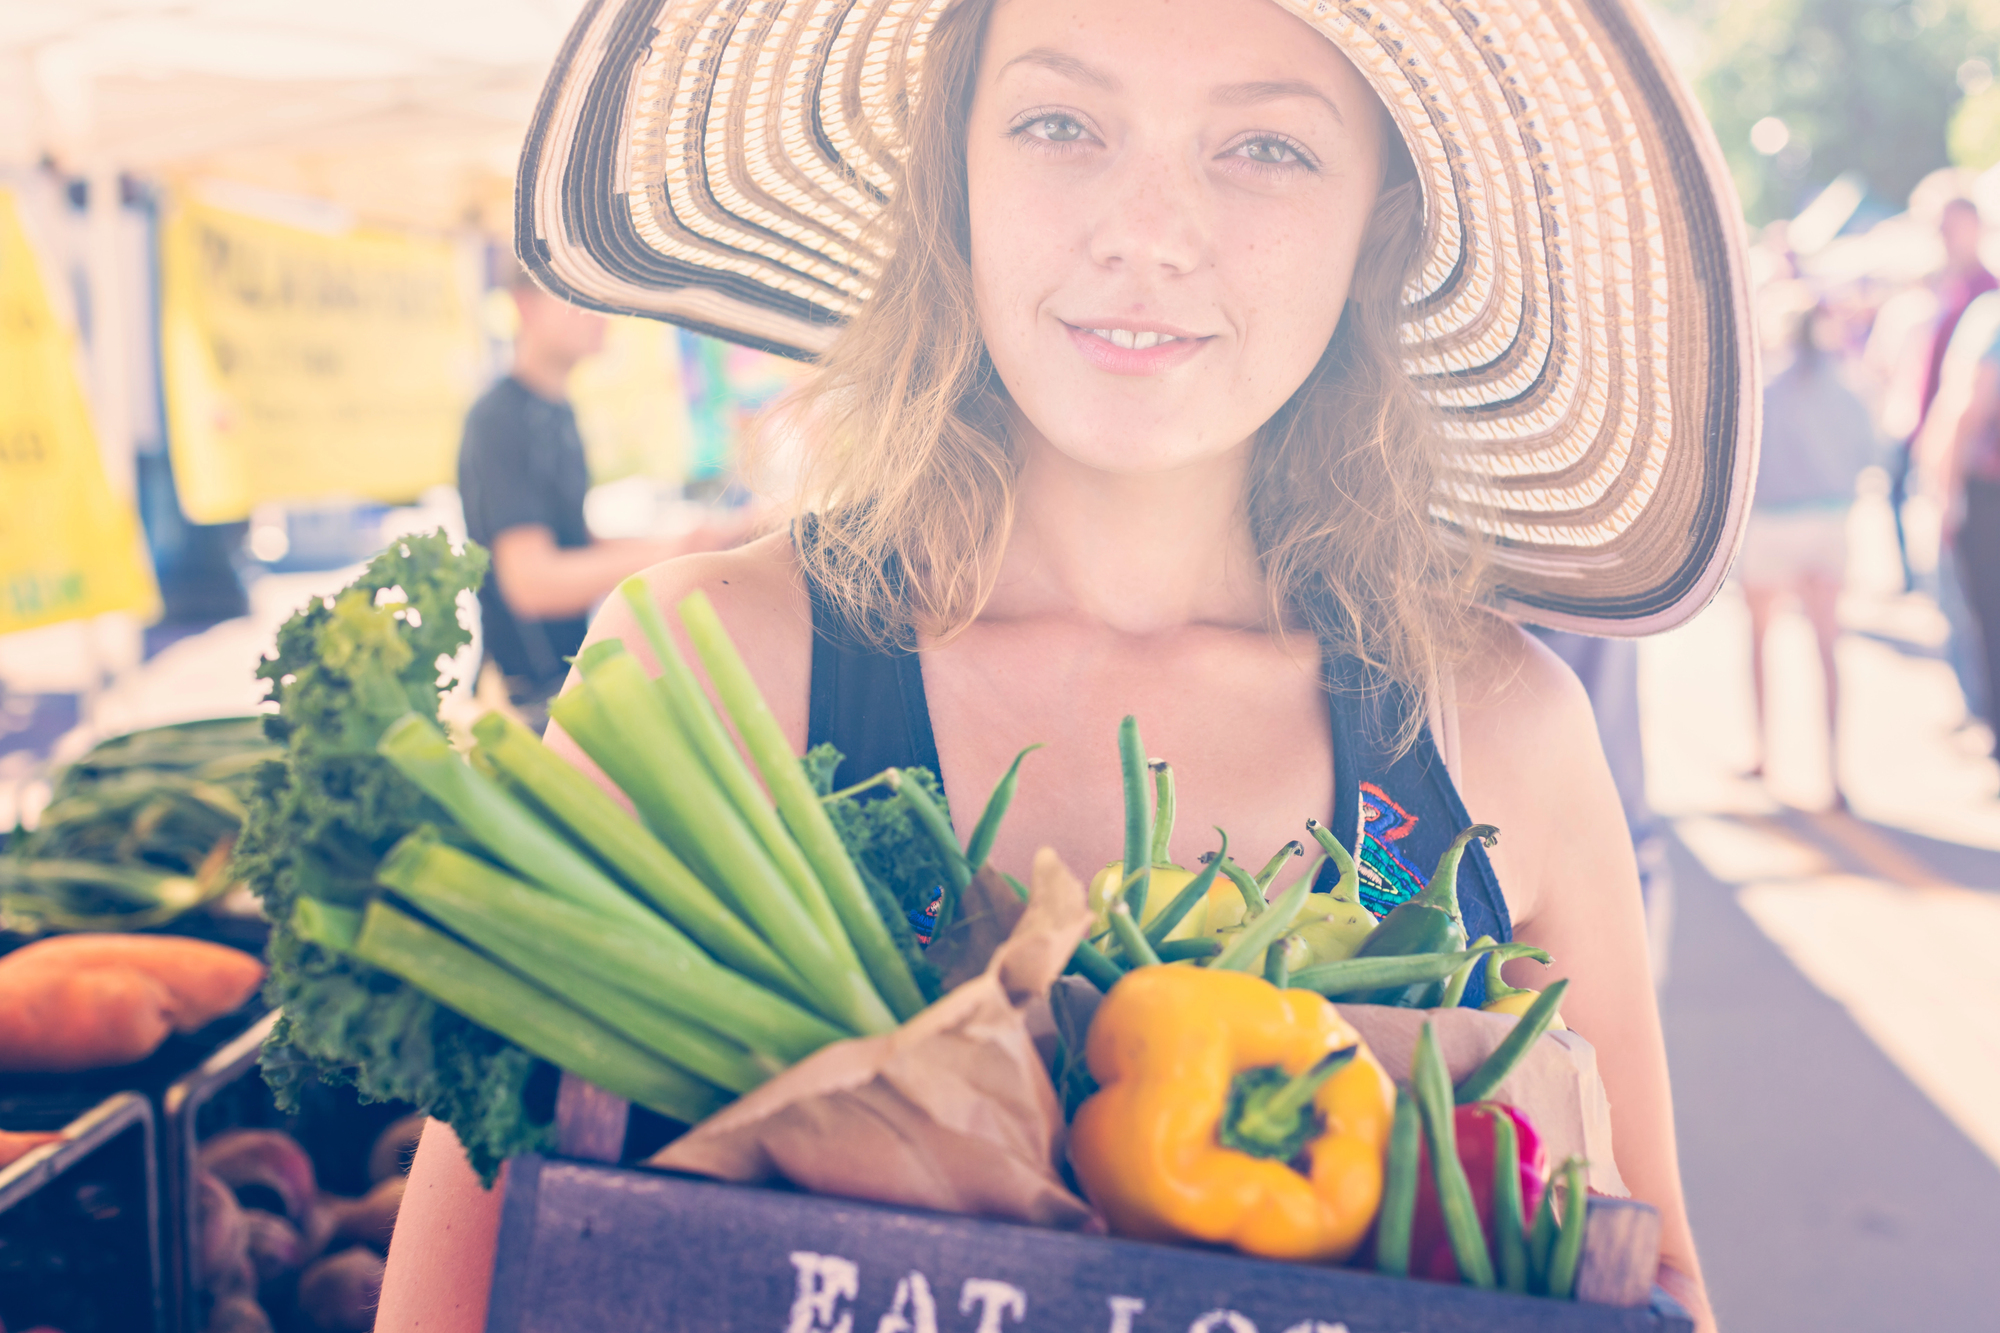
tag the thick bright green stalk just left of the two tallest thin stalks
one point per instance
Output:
(649, 744)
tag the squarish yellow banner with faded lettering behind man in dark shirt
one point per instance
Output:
(303, 365)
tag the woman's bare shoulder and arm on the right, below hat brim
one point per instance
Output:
(1535, 768)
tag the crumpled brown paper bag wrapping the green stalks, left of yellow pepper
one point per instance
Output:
(951, 1112)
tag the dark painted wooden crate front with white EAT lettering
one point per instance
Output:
(641, 1252)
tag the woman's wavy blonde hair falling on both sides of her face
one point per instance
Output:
(909, 465)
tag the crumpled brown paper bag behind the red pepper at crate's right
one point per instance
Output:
(1555, 1084)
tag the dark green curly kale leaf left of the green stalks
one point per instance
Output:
(321, 822)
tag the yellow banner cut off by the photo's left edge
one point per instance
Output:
(69, 547)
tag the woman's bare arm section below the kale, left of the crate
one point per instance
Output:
(441, 1262)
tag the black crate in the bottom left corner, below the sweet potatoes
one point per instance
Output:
(79, 1220)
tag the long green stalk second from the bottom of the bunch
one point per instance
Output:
(673, 978)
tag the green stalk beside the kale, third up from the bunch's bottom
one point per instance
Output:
(501, 824)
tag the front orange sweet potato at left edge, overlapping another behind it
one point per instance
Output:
(61, 1022)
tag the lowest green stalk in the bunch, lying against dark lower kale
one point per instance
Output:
(531, 1018)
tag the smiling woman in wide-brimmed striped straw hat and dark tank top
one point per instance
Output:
(1127, 421)
